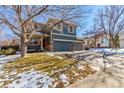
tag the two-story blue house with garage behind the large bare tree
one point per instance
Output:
(61, 38)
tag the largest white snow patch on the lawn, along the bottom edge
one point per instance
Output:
(31, 79)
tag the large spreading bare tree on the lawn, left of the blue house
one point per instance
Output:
(20, 19)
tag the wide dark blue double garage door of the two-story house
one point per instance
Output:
(63, 46)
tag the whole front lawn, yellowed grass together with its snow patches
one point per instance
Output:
(43, 70)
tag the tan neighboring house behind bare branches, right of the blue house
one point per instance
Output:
(101, 40)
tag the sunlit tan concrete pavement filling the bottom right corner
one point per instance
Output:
(113, 79)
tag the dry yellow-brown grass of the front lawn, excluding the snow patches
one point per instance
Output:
(50, 64)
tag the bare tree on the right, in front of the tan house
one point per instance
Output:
(111, 20)
